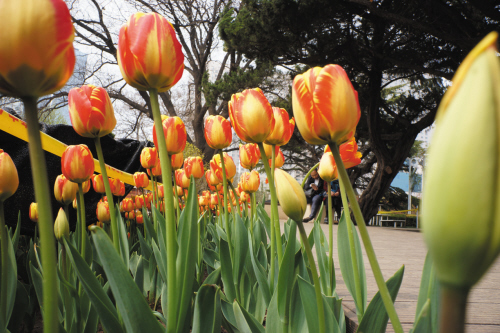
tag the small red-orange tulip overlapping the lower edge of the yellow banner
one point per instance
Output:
(77, 163)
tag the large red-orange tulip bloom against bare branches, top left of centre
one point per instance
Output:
(149, 54)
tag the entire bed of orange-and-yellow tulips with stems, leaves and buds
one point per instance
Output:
(207, 267)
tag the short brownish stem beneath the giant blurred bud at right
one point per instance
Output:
(453, 308)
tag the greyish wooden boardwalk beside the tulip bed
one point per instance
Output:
(395, 248)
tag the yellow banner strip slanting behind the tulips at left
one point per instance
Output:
(16, 127)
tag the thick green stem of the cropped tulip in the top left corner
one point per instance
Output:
(45, 219)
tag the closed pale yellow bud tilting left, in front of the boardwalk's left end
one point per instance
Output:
(290, 195)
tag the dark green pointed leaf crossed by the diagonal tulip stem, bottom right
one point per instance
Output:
(375, 318)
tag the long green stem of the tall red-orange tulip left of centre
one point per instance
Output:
(171, 232)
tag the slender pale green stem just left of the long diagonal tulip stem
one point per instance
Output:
(352, 248)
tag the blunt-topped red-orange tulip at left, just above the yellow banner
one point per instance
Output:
(91, 111)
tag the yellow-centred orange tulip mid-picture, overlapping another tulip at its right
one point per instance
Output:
(251, 115)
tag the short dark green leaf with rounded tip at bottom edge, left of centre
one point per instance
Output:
(207, 310)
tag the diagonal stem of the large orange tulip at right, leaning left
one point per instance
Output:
(370, 252)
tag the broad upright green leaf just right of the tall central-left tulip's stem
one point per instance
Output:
(186, 255)
